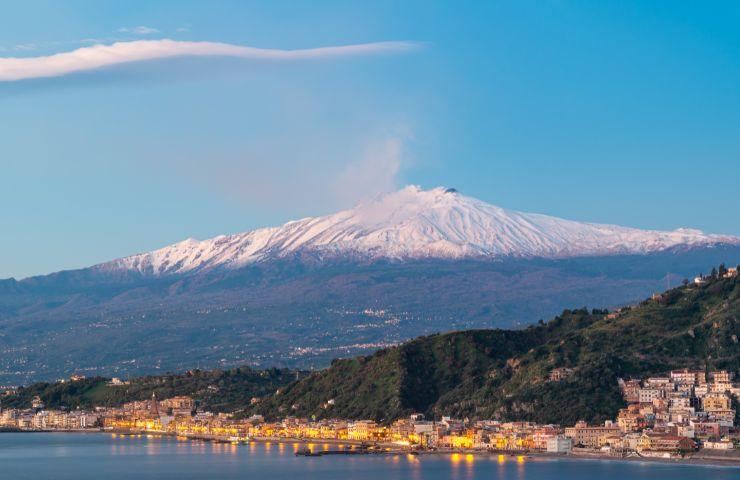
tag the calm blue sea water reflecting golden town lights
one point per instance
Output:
(101, 456)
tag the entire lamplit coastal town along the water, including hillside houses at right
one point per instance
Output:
(669, 417)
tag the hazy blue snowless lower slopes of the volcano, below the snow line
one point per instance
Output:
(297, 314)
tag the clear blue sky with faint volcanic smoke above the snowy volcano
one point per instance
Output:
(615, 112)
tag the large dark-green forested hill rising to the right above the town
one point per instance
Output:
(504, 373)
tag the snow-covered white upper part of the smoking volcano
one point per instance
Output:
(411, 224)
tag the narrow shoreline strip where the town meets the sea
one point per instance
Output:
(394, 449)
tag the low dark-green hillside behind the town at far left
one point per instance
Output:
(217, 390)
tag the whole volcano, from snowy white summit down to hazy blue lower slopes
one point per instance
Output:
(406, 264)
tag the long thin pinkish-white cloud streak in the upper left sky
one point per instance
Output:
(99, 56)
